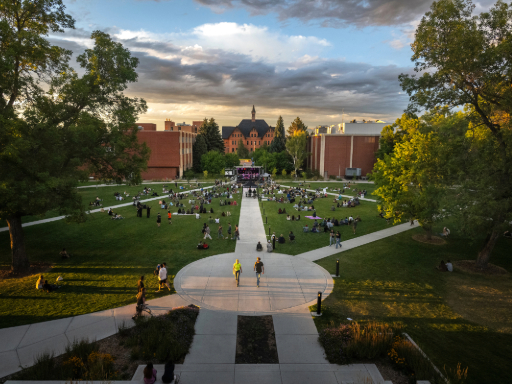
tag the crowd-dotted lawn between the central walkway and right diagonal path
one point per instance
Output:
(304, 242)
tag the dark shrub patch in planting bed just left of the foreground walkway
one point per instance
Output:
(166, 337)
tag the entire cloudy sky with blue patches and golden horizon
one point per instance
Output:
(315, 59)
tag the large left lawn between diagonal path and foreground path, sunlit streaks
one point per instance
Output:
(108, 256)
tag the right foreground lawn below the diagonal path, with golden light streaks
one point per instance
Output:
(454, 317)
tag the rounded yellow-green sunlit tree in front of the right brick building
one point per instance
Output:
(411, 180)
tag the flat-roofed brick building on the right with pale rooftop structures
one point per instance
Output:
(350, 145)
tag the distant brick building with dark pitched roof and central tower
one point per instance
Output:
(254, 133)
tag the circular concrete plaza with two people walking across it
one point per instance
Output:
(289, 283)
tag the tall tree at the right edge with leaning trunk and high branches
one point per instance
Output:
(465, 60)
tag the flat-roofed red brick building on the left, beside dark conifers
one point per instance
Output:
(171, 149)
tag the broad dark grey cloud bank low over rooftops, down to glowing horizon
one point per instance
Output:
(193, 81)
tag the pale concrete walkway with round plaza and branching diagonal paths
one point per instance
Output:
(287, 287)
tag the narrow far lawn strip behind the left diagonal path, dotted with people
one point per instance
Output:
(109, 200)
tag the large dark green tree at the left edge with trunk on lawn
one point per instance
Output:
(57, 127)
